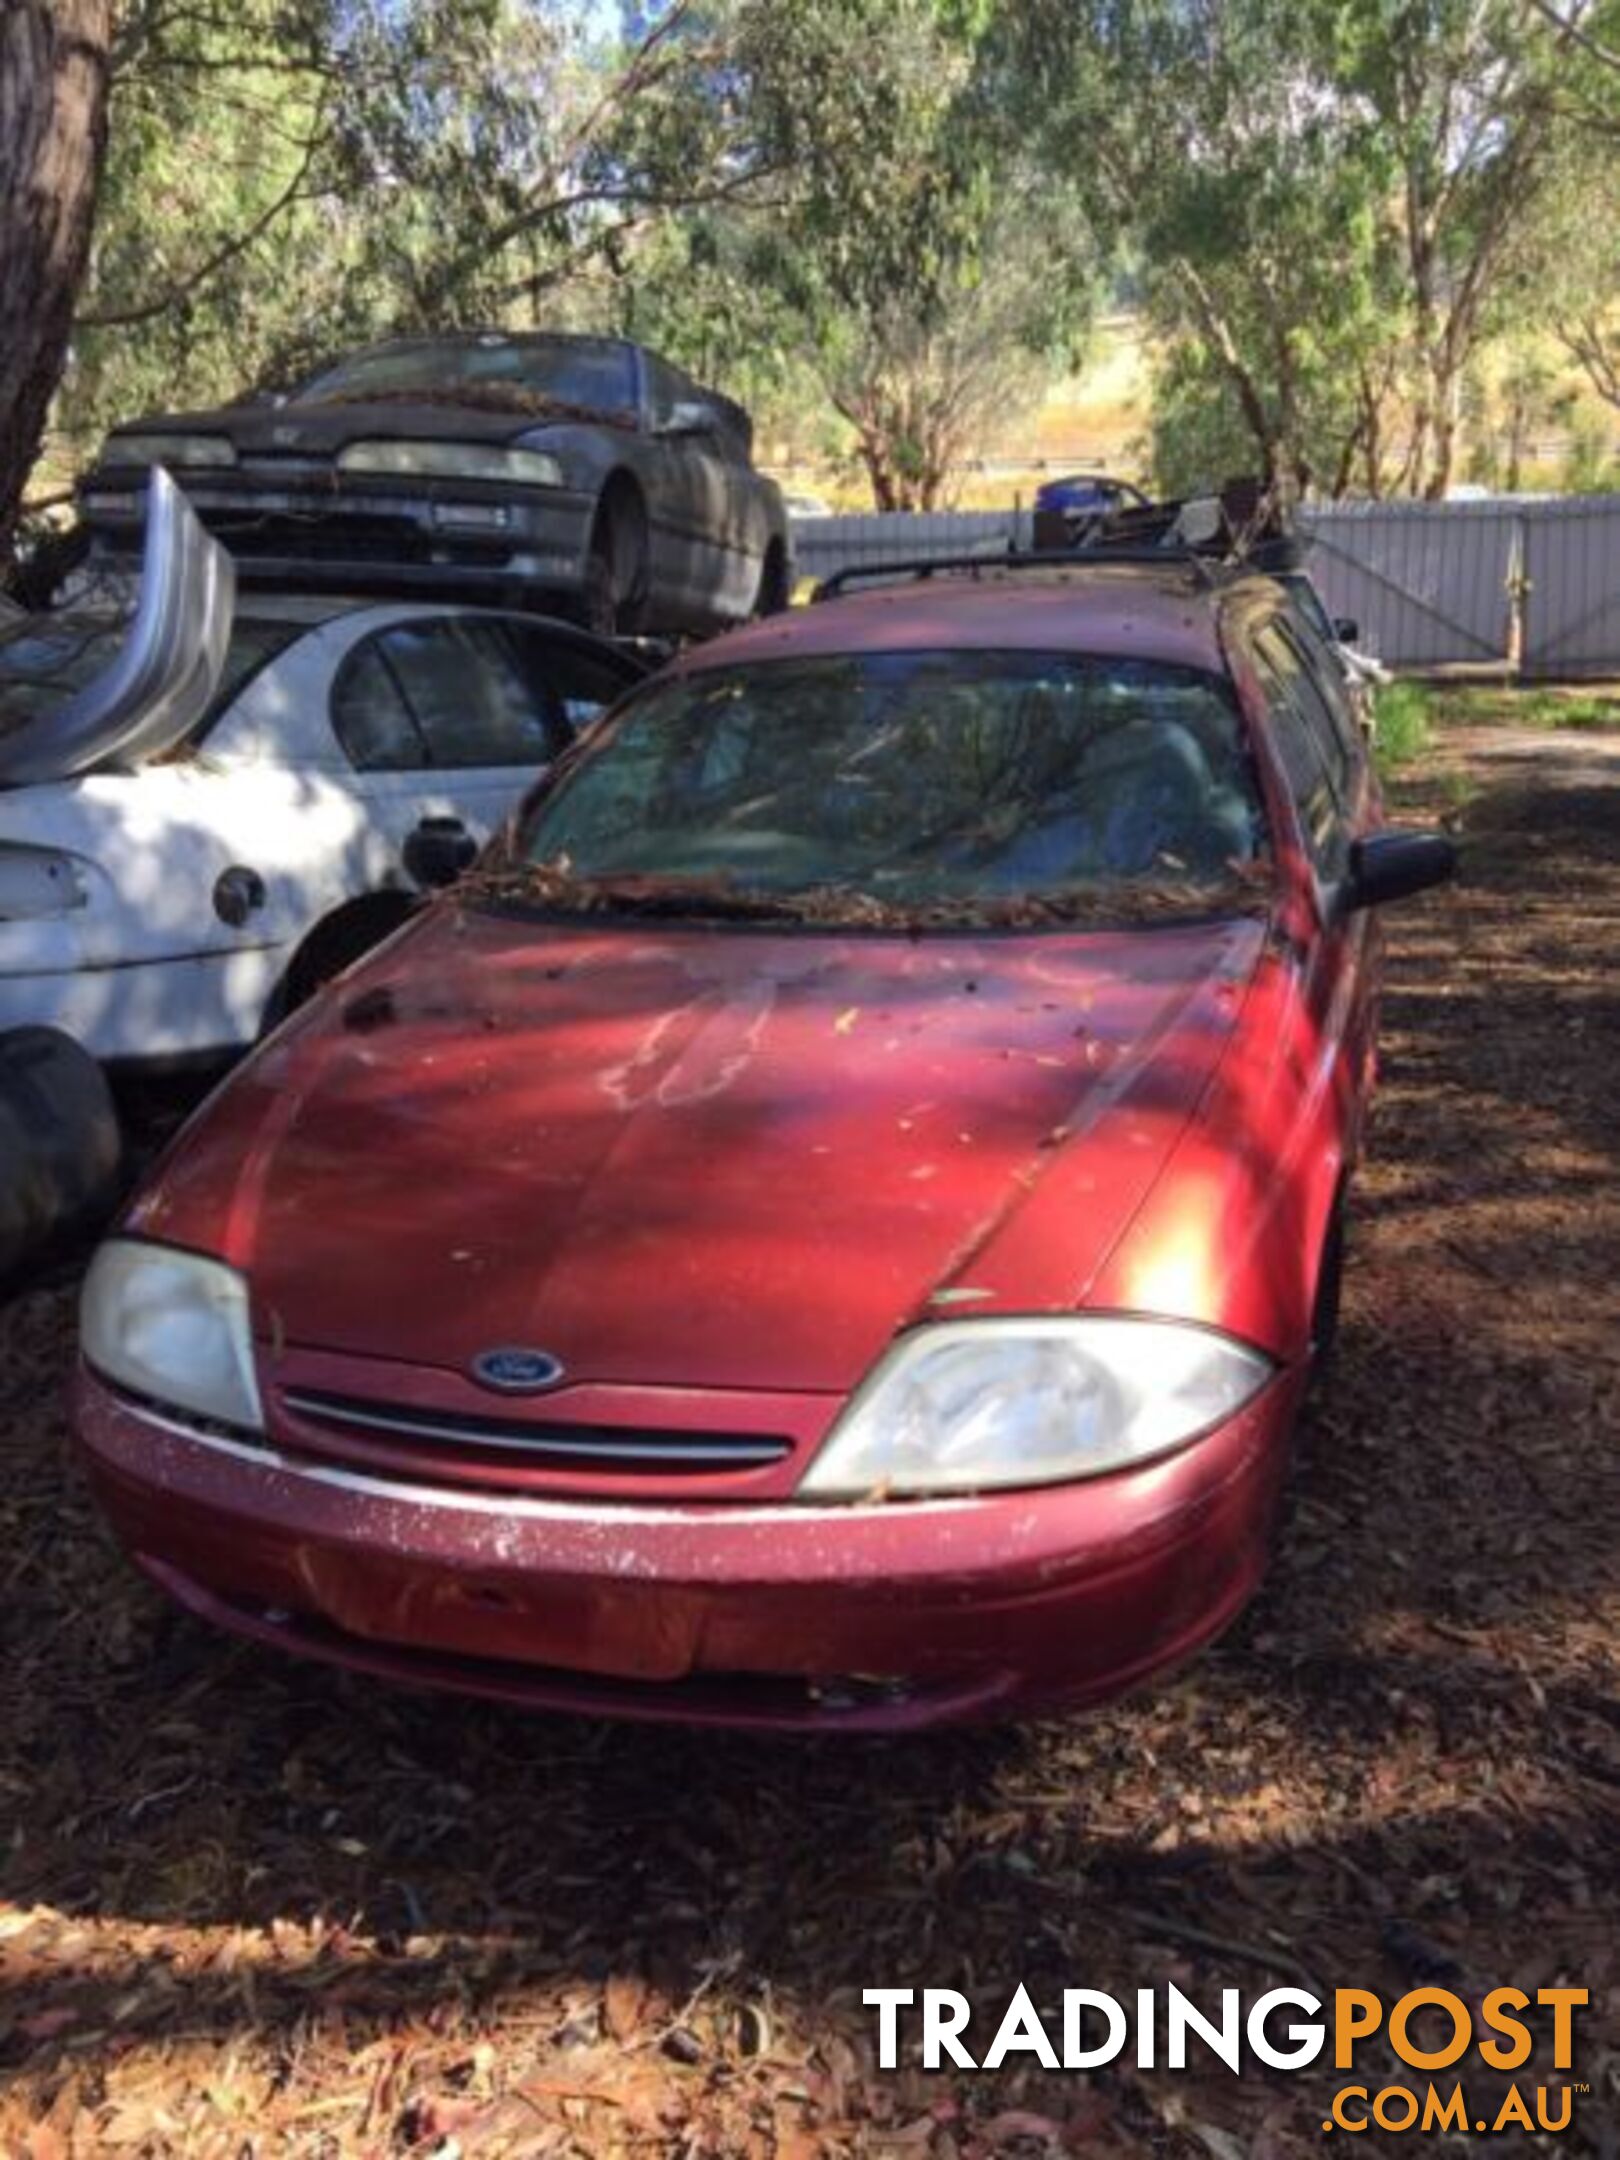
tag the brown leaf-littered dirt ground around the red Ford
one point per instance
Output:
(252, 1908)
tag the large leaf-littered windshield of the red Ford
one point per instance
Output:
(908, 787)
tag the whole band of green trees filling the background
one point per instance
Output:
(882, 221)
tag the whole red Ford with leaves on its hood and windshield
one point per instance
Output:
(831, 1221)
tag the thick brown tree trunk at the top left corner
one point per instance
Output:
(53, 141)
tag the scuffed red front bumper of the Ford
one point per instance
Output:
(774, 1617)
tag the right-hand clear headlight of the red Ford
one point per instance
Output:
(977, 1405)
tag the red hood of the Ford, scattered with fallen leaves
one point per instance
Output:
(701, 1157)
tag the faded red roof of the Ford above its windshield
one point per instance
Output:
(1124, 610)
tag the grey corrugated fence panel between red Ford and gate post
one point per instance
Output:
(1427, 582)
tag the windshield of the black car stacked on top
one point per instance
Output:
(500, 373)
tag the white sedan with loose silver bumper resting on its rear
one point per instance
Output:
(213, 807)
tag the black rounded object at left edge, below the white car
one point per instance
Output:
(62, 1148)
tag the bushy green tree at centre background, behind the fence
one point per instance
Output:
(906, 267)
